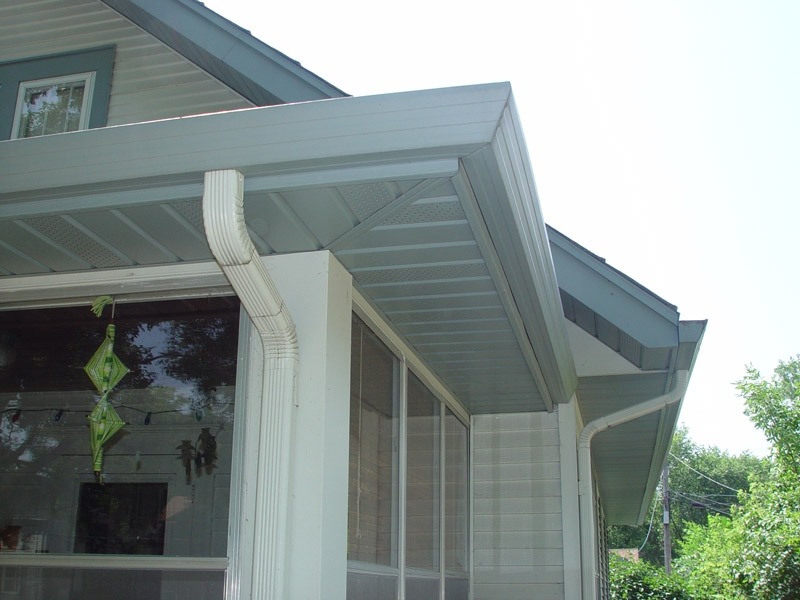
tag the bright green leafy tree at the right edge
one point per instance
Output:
(756, 554)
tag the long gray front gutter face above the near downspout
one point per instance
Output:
(385, 129)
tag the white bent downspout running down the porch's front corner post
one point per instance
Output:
(223, 216)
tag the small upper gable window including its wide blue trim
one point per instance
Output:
(55, 94)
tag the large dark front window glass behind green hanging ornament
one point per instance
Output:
(163, 482)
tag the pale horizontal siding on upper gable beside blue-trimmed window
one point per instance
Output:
(150, 80)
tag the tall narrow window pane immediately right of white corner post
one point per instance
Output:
(372, 515)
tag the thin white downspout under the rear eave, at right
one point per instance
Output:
(586, 486)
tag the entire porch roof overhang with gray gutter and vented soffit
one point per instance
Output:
(426, 198)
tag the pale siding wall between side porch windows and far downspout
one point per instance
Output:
(517, 531)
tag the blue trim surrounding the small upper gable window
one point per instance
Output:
(99, 61)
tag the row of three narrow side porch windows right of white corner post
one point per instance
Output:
(381, 410)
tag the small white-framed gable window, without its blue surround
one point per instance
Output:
(53, 106)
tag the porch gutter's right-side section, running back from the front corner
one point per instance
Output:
(501, 176)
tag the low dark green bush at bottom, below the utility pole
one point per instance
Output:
(643, 581)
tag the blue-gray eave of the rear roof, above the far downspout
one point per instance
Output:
(633, 322)
